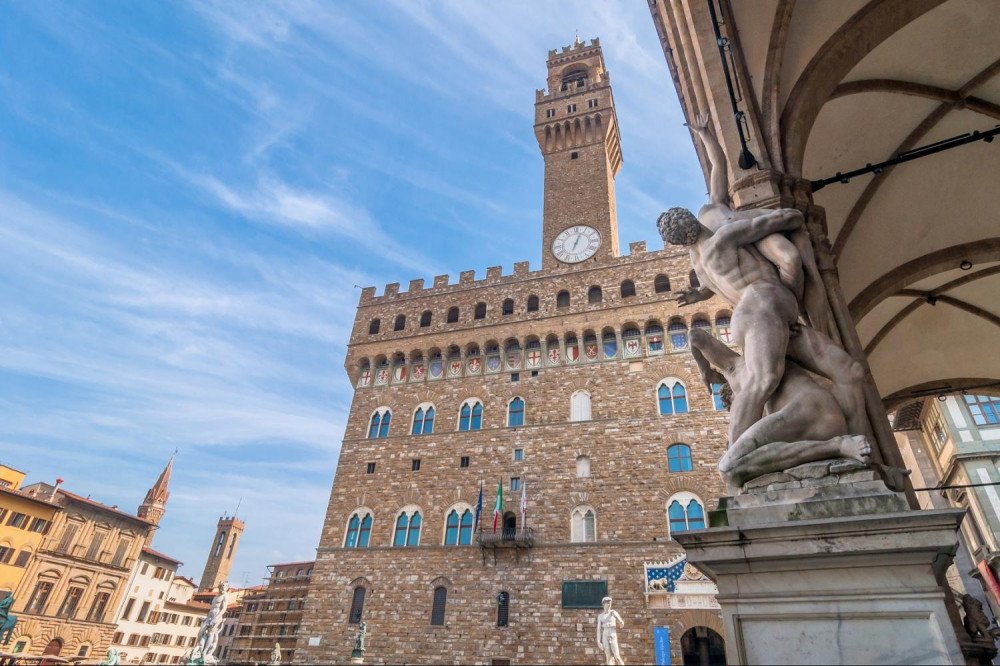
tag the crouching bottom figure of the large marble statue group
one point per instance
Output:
(804, 423)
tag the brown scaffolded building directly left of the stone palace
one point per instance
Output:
(272, 616)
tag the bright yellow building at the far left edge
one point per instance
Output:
(24, 521)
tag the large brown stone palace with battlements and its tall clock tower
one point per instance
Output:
(570, 392)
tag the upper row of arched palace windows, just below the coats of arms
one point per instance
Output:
(671, 398)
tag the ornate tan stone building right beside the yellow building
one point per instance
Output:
(67, 597)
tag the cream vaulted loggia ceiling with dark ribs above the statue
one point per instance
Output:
(833, 86)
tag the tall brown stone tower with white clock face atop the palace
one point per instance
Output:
(577, 131)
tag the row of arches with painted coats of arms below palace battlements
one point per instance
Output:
(535, 353)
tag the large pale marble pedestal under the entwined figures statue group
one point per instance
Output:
(833, 568)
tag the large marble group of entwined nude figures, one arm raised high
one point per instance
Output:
(761, 261)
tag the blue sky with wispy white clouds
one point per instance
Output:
(190, 191)
